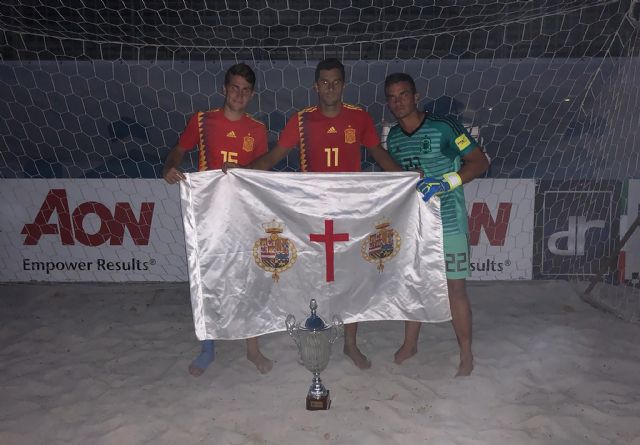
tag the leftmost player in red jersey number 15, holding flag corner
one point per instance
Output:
(226, 135)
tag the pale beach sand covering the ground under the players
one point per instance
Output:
(107, 364)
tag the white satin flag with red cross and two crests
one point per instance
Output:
(260, 245)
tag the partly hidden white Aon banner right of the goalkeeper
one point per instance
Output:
(501, 216)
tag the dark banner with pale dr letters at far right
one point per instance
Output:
(575, 228)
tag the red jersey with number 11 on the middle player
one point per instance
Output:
(330, 144)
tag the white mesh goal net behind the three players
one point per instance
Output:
(99, 91)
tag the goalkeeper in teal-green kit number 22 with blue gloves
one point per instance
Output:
(436, 145)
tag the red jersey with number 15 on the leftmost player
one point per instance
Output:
(220, 140)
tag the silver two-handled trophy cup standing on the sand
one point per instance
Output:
(314, 340)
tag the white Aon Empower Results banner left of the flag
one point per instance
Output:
(91, 230)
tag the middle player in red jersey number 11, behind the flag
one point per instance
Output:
(329, 137)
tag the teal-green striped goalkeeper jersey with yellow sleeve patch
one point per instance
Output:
(436, 147)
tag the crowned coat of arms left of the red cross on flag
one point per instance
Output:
(274, 253)
